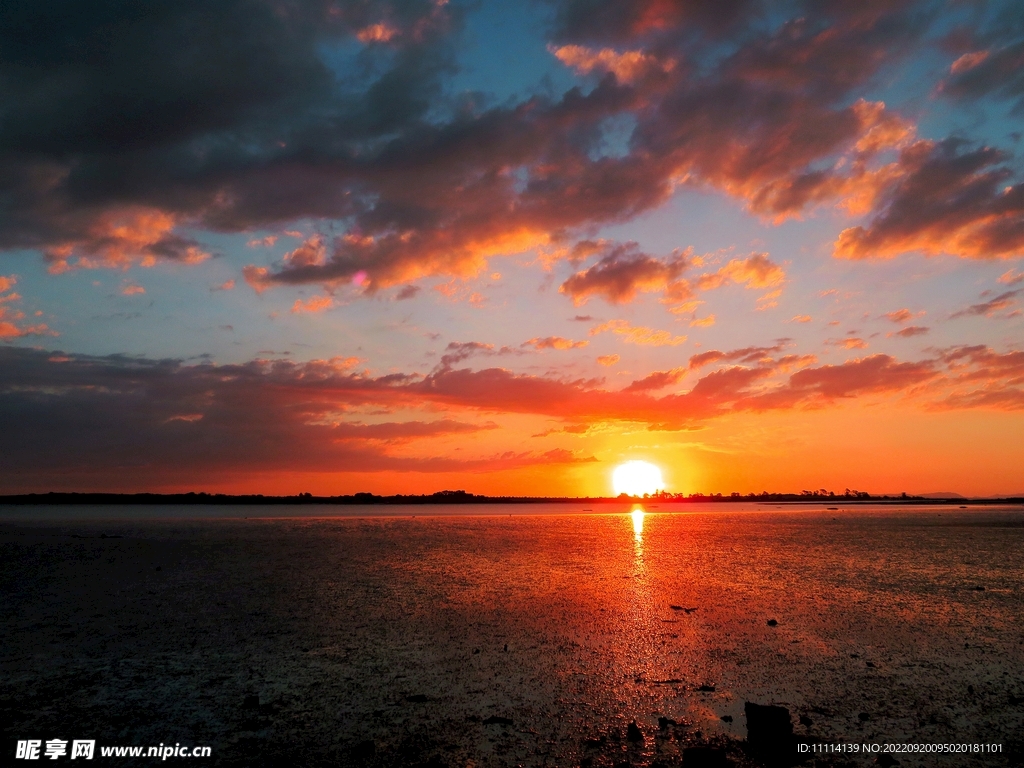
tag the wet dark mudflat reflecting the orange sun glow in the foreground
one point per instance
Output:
(531, 639)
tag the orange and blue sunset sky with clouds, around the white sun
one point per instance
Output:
(399, 247)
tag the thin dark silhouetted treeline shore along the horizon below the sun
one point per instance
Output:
(460, 497)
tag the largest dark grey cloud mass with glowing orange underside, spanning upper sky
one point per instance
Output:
(266, 129)
